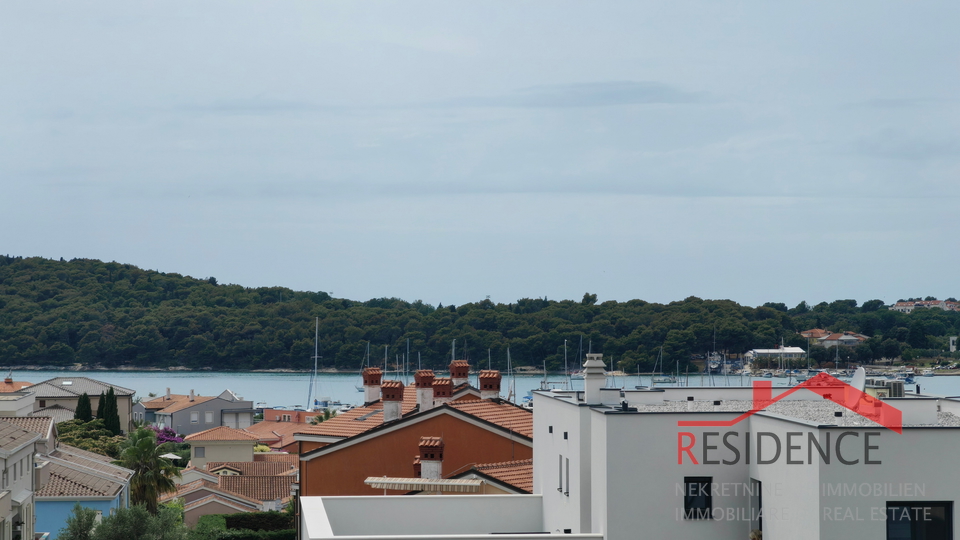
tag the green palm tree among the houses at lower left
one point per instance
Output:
(152, 475)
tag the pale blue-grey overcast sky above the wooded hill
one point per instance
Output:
(446, 151)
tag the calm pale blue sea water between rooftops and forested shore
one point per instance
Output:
(290, 389)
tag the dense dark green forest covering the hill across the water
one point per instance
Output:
(60, 313)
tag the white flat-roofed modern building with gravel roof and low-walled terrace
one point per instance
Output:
(696, 463)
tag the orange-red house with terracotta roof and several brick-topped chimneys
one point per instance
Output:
(338, 455)
